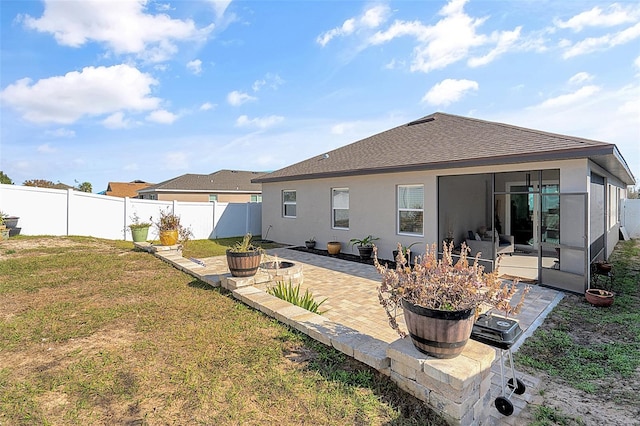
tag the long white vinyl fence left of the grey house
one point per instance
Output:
(44, 211)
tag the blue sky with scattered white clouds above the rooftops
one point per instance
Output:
(103, 91)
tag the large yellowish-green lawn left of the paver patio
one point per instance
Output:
(94, 332)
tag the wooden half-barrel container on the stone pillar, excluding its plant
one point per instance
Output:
(440, 334)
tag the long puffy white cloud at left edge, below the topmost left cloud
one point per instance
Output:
(91, 92)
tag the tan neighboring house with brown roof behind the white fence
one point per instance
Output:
(233, 186)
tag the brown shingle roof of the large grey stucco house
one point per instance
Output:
(440, 141)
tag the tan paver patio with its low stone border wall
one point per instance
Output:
(354, 315)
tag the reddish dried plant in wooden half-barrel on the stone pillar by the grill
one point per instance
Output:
(441, 298)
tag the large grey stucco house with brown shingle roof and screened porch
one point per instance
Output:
(548, 202)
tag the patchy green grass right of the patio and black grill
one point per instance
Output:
(592, 348)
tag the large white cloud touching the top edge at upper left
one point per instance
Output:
(124, 26)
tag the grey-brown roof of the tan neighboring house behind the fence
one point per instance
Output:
(220, 181)
